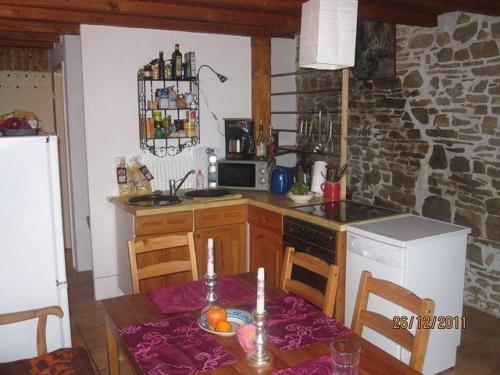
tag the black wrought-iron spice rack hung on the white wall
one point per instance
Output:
(166, 145)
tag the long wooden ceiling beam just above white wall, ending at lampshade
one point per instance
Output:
(96, 18)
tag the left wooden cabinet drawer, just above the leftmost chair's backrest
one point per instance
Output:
(164, 223)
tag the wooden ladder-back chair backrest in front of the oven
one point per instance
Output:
(329, 271)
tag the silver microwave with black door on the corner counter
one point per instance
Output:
(243, 174)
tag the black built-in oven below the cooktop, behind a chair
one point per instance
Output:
(313, 239)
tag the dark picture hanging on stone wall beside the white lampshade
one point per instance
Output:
(375, 51)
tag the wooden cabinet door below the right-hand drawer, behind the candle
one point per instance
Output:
(229, 243)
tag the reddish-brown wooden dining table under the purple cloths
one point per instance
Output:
(138, 309)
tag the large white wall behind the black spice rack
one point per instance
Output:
(111, 57)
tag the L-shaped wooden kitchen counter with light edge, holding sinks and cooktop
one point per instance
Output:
(275, 202)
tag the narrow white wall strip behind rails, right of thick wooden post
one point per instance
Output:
(283, 53)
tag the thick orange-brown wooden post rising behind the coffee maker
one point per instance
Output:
(261, 83)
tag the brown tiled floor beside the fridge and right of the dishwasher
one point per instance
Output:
(477, 355)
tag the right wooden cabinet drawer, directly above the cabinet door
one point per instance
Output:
(218, 216)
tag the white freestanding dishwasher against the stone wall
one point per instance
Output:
(423, 255)
